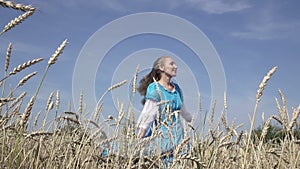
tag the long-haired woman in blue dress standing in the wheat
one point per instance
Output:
(163, 106)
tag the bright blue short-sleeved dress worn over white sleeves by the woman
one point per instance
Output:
(168, 120)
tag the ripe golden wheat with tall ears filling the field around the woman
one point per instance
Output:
(73, 141)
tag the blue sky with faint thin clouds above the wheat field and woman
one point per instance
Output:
(249, 37)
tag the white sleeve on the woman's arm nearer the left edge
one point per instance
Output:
(147, 115)
